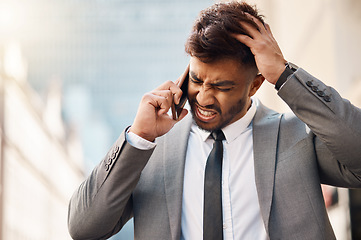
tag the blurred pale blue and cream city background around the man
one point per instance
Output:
(72, 73)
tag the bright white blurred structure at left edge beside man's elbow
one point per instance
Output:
(41, 160)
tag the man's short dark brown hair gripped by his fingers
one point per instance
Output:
(210, 38)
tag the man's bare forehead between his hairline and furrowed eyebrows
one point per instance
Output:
(220, 70)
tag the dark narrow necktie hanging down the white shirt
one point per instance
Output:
(212, 210)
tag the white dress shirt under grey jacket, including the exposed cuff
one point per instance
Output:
(241, 211)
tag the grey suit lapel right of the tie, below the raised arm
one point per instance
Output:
(265, 136)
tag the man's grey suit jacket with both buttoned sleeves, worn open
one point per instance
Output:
(292, 156)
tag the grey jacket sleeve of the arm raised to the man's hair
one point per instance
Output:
(336, 124)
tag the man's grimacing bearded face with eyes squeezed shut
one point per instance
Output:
(219, 92)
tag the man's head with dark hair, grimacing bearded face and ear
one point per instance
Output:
(223, 73)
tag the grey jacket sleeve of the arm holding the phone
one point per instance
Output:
(103, 204)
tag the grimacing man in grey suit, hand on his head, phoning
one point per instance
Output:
(273, 164)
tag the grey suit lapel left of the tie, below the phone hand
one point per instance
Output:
(174, 160)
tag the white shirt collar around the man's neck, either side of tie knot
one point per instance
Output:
(231, 131)
